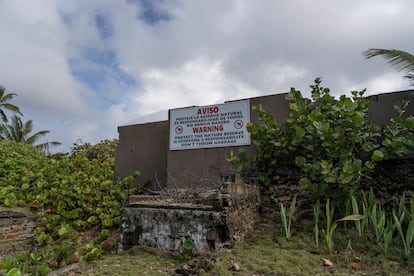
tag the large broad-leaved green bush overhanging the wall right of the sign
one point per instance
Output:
(328, 139)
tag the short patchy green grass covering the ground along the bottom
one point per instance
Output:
(265, 251)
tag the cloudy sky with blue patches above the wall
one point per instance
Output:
(83, 68)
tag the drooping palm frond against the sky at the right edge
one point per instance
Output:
(403, 61)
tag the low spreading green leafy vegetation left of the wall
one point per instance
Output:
(70, 193)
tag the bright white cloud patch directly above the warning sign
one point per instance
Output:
(198, 82)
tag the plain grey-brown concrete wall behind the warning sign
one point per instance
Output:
(145, 147)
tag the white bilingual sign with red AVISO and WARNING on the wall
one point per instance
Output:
(221, 125)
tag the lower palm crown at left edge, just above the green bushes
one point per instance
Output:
(21, 132)
